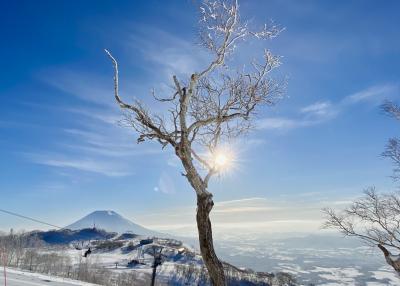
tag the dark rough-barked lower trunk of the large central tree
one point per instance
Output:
(214, 266)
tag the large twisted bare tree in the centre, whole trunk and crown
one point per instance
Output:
(210, 107)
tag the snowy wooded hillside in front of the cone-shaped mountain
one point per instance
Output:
(126, 259)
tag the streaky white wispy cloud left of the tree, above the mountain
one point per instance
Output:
(94, 146)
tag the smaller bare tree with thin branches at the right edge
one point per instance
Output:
(375, 218)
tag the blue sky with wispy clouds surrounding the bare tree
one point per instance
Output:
(63, 153)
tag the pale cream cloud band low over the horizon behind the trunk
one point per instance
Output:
(255, 214)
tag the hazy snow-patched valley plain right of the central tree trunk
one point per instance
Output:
(321, 260)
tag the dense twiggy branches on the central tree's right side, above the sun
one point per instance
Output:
(220, 103)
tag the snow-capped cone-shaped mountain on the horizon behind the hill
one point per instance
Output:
(110, 221)
